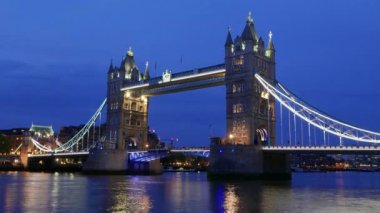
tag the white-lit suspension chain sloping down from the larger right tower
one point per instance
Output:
(315, 118)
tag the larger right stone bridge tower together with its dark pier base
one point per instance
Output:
(250, 112)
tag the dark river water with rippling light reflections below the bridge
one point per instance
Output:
(188, 192)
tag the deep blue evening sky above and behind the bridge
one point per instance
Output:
(54, 57)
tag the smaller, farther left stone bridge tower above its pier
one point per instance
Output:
(127, 112)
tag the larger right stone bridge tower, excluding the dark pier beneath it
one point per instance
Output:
(250, 110)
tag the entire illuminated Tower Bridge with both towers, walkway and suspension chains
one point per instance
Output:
(256, 103)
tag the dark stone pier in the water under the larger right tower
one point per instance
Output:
(230, 161)
